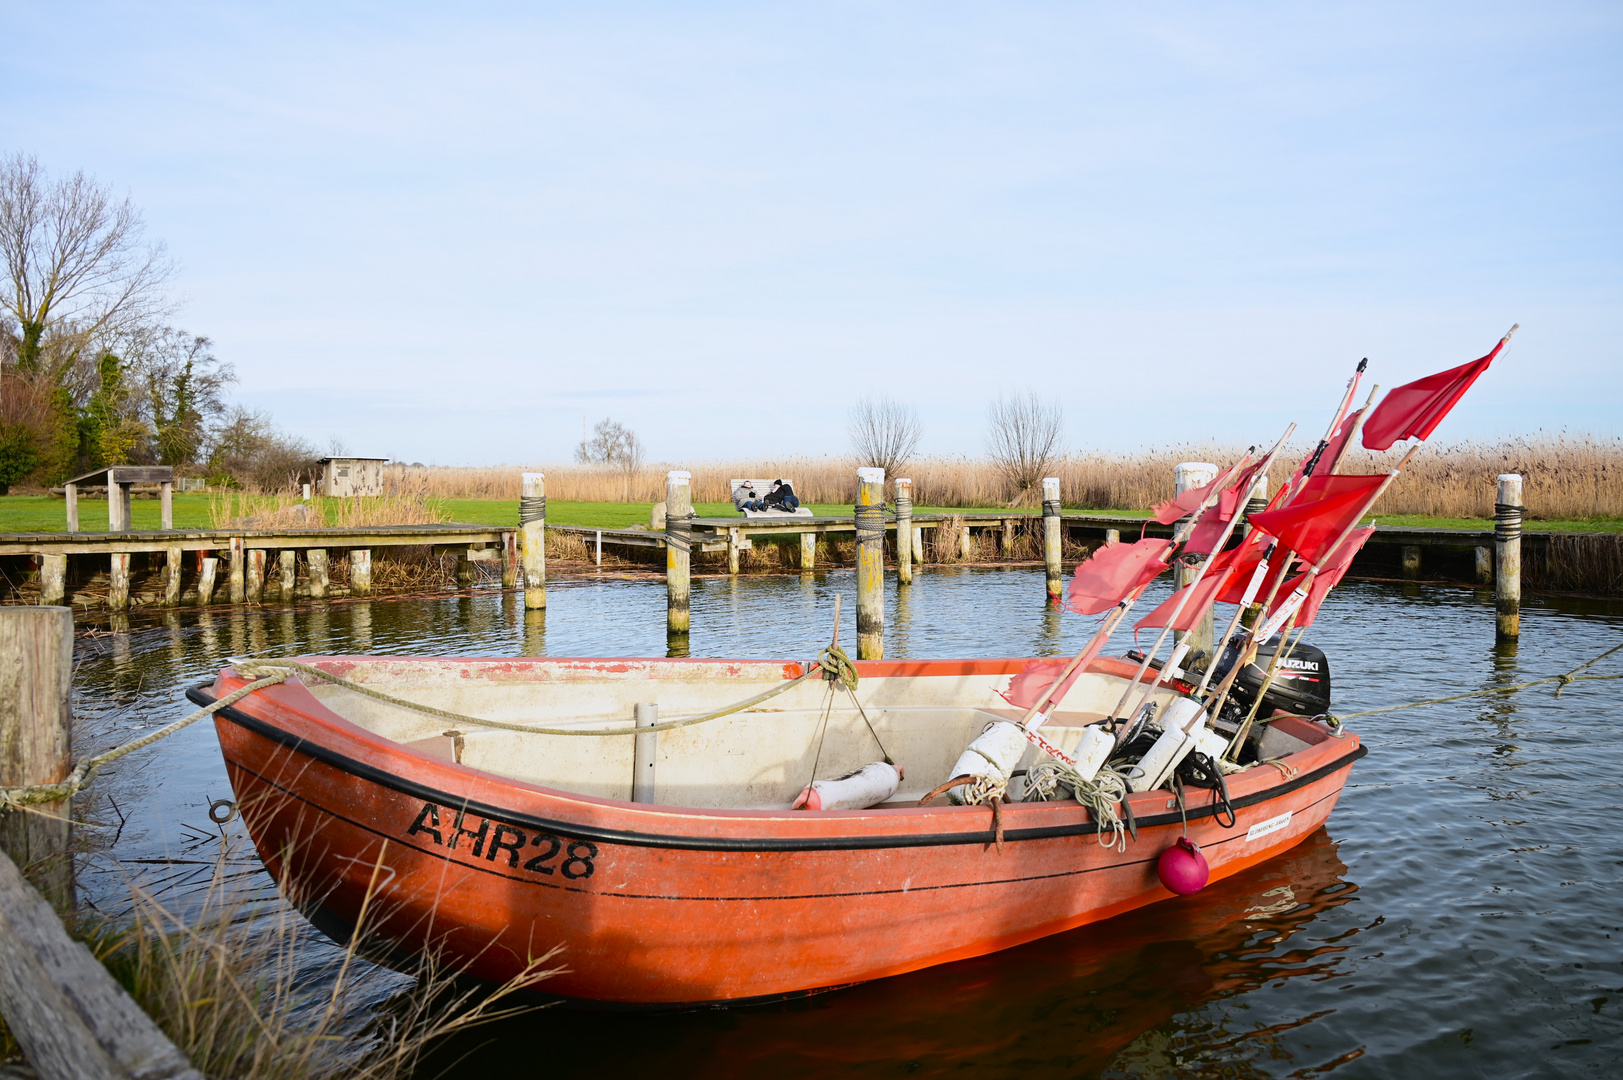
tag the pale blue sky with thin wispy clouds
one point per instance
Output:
(449, 233)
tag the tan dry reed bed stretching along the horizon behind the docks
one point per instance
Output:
(1564, 478)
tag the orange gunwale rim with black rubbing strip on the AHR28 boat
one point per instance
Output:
(204, 694)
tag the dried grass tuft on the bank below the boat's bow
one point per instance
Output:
(249, 991)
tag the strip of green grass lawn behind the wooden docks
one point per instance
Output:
(45, 514)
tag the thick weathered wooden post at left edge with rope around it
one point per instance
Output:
(37, 727)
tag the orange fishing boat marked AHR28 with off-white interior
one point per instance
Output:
(491, 844)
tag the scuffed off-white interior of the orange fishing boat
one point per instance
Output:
(756, 759)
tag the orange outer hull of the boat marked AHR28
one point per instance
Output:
(661, 905)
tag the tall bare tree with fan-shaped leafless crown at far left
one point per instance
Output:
(79, 274)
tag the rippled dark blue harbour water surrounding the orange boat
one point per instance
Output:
(1458, 918)
